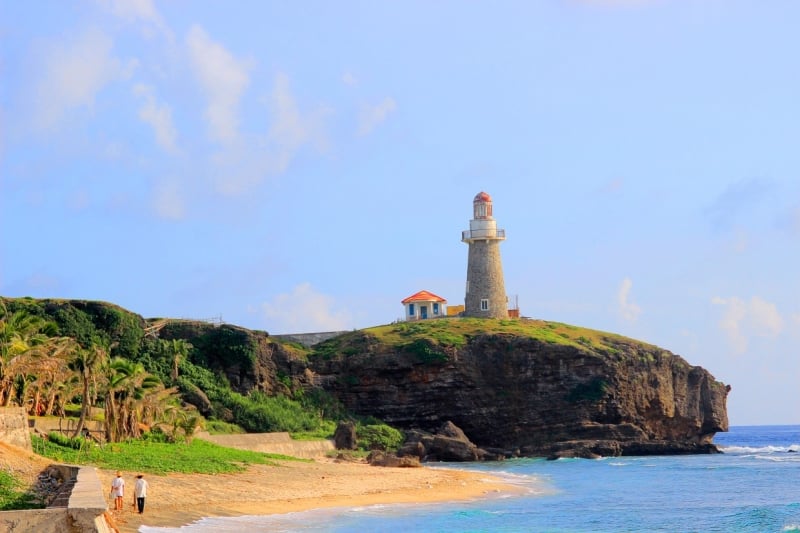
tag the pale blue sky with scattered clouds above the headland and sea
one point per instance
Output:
(304, 166)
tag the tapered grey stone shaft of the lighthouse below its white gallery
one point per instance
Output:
(485, 280)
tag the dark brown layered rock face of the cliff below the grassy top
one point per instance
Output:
(523, 396)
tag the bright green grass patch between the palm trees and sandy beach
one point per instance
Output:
(199, 457)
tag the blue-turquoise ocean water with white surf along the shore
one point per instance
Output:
(754, 486)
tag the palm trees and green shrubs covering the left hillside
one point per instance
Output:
(63, 352)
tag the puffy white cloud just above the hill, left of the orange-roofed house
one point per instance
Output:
(304, 311)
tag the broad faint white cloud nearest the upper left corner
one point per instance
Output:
(74, 72)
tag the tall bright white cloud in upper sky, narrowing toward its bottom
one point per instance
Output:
(223, 79)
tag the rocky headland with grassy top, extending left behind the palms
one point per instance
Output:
(515, 387)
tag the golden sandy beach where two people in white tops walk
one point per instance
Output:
(178, 499)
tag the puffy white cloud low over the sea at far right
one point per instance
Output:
(742, 320)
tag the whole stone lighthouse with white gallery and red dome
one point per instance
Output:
(486, 292)
